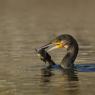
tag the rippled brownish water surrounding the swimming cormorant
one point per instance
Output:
(25, 25)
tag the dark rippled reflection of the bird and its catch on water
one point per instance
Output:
(69, 75)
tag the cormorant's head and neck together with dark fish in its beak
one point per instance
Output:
(62, 41)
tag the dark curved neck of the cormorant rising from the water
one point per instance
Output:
(69, 58)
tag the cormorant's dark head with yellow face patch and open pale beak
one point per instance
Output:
(62, 41)
